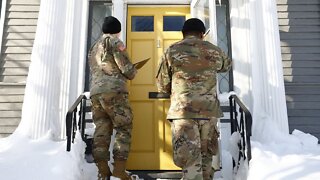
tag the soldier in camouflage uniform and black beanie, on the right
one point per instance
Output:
(188, 72)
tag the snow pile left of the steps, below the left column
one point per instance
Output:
(23, 158)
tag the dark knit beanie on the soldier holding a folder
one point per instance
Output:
(111, 25)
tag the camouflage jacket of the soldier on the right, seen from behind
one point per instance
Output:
(188, 71)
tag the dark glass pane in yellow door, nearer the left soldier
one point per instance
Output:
(142, 23)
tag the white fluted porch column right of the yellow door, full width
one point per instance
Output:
(258, 74)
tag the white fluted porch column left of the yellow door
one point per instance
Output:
(52, 72)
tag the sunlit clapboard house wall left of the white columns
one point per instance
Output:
(19, 27)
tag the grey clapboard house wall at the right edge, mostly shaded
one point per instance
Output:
(299, 25)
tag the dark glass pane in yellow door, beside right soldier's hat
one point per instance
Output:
(173, 23)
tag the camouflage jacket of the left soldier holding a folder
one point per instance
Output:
(110, 66)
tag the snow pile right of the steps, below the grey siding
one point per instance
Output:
(296, 158)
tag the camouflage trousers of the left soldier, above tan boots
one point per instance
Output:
(111, 111)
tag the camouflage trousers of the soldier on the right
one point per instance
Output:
(194, 143)
